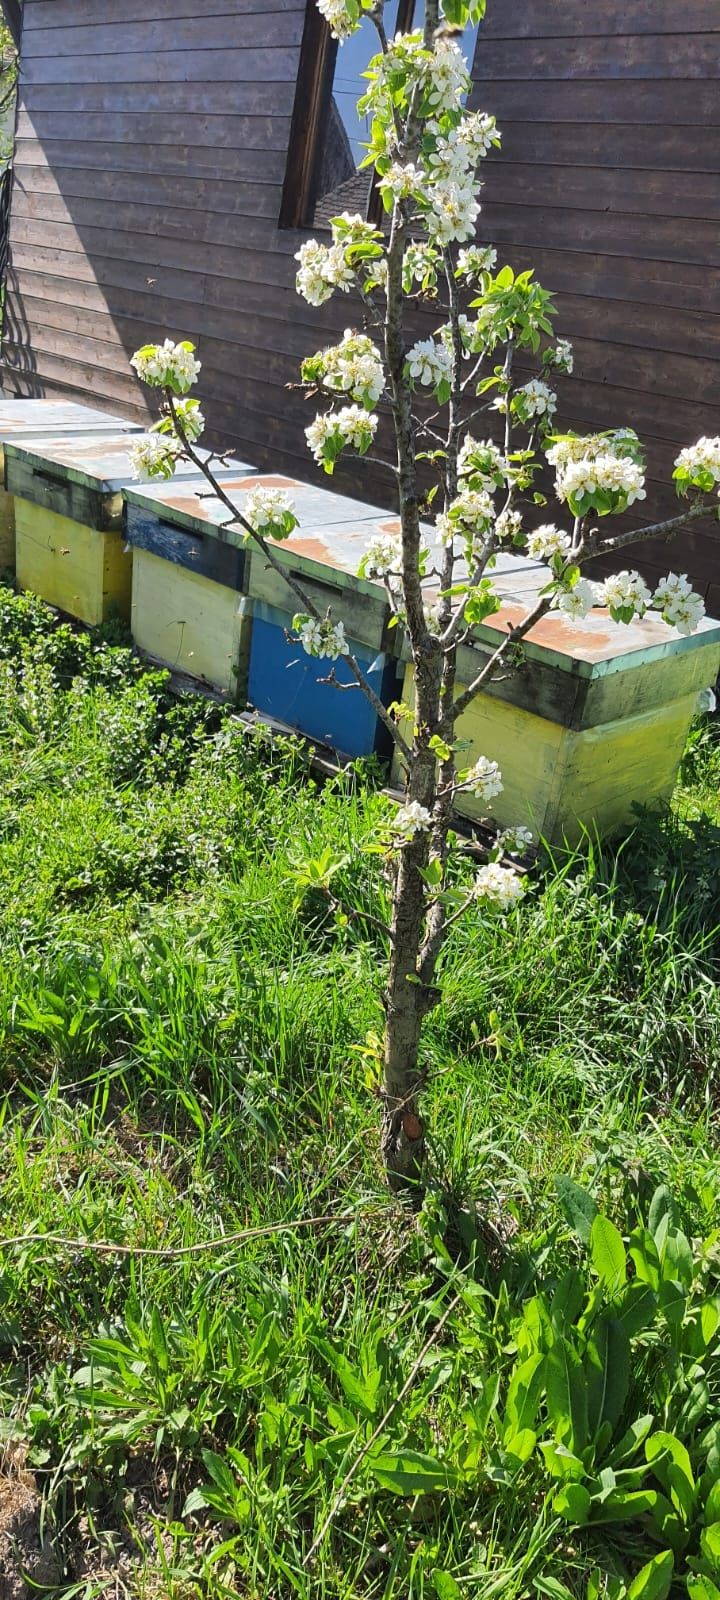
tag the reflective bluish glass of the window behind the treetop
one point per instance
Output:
(340, 183)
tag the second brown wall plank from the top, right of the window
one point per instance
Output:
(606, 58)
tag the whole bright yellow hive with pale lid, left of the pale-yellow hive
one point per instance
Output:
(71, 543)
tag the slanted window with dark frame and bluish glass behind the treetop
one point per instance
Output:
(327, 142)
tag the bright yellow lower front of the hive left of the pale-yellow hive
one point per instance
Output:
(62, 562)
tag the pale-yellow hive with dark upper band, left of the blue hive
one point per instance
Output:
(190, 580)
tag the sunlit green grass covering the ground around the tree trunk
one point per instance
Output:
(188, 1055)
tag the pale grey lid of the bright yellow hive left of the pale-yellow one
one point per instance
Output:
(97, 463)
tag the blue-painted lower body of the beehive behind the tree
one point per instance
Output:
(284, 684)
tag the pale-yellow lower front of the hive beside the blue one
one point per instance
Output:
(190, 623)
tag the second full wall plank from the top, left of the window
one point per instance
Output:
(217, 66)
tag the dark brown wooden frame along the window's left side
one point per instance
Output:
(314, 89)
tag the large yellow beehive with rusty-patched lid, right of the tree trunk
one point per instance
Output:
(591, 726)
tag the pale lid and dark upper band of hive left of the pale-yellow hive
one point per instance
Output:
(84, 478)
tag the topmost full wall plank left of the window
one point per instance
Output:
(196, 34)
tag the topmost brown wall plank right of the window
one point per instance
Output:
(570, 18)
